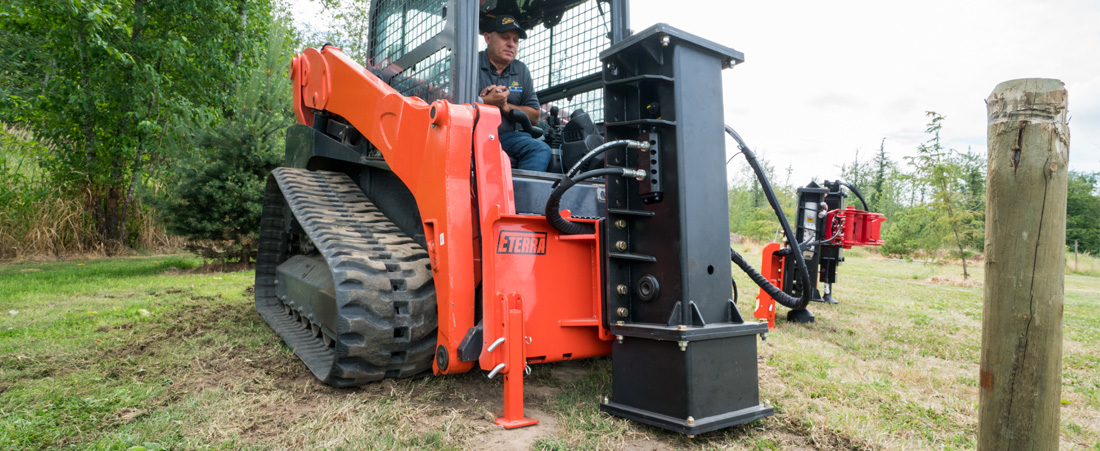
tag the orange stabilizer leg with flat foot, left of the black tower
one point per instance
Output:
(514, 371)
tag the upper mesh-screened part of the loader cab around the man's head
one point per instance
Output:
(430, 48)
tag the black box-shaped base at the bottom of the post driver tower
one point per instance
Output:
(687, 380)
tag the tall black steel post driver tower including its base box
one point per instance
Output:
(684, 358)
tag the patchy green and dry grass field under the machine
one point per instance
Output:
(148, 354)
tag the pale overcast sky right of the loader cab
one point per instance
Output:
(823, 81)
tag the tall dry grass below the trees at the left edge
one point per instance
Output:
(41, 219)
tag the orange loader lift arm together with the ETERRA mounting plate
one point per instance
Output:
(471, 240)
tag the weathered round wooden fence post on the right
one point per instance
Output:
(1026, 259)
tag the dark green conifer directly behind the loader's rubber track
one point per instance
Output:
(216, 189)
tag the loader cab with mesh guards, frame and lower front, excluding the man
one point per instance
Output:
(428, 49)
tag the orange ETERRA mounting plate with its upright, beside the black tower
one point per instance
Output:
(557, 277)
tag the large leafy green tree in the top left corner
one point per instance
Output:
(107, 76)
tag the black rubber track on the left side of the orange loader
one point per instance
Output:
(383, 283)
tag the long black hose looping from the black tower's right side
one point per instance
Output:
(787, 301)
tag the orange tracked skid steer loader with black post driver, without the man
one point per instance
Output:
(399, 241)
